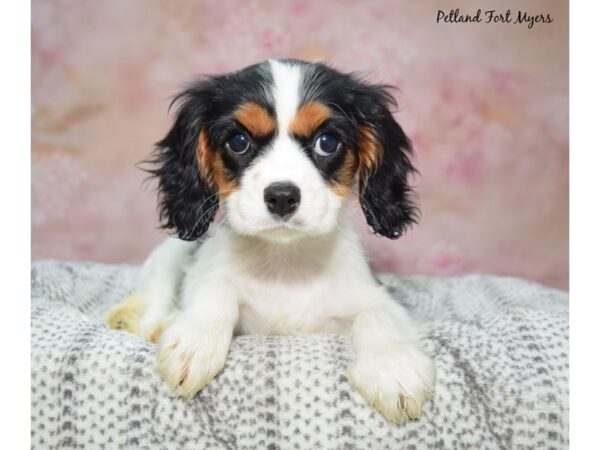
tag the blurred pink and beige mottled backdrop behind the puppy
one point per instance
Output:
(486, 106)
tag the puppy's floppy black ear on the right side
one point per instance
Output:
(384, 164)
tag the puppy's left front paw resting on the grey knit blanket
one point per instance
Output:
(189, 356)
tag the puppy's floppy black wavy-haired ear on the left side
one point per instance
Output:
(188, 202)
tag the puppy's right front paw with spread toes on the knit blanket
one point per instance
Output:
(396, 383)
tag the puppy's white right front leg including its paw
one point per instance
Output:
(390, 370)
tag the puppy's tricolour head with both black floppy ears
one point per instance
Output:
(280, 145)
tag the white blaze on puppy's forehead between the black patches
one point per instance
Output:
(286, 92)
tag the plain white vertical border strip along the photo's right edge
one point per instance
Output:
(584, 223)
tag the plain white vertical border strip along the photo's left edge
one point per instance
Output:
(15, 201)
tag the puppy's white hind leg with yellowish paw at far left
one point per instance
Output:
(146, 310)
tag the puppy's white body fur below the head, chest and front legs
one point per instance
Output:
(316, 284)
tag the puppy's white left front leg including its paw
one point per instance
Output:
(194, 347)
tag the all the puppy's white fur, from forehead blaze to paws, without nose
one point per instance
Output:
(259, 274)
